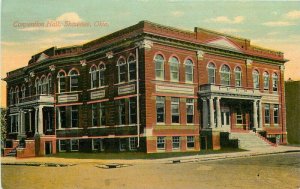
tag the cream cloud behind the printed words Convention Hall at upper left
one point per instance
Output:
(57, 24)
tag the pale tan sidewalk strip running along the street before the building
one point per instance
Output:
(208, 157)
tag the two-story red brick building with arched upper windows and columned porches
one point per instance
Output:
(146, 87)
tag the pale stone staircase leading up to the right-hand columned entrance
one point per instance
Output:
(251, 140)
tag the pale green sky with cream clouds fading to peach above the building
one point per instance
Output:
(270, 24)
